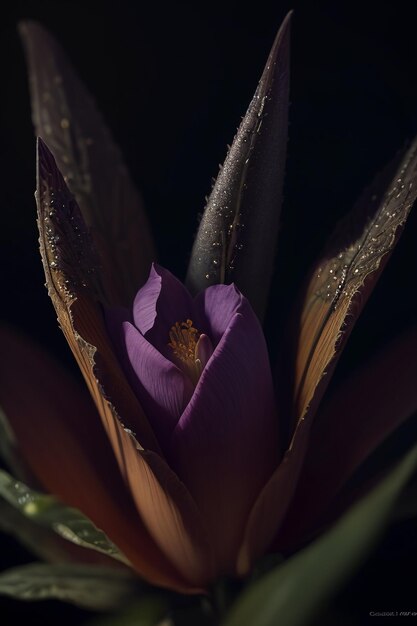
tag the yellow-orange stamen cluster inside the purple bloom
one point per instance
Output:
(191, 349)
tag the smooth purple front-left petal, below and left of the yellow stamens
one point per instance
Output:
(161, 387)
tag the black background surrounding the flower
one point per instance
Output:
(173, 80)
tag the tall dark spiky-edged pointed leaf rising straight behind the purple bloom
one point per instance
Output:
(236, 239)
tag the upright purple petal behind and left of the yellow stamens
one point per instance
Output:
(161, 302)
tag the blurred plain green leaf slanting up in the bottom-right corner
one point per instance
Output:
(296, 589)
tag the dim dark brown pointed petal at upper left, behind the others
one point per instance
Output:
(64, 115)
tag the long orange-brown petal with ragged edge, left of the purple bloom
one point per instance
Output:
(71, 278)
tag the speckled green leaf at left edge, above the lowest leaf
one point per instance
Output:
(48, 512)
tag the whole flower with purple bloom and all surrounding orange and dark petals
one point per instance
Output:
(180, 462)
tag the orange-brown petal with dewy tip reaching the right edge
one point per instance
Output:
(336, 292)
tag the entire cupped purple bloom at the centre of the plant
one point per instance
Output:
(218, 430)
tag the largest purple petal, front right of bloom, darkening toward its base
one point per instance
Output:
(225, 445)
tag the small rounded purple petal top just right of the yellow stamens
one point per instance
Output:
(217, 305)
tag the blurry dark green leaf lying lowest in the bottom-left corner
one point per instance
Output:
(95, 588)
